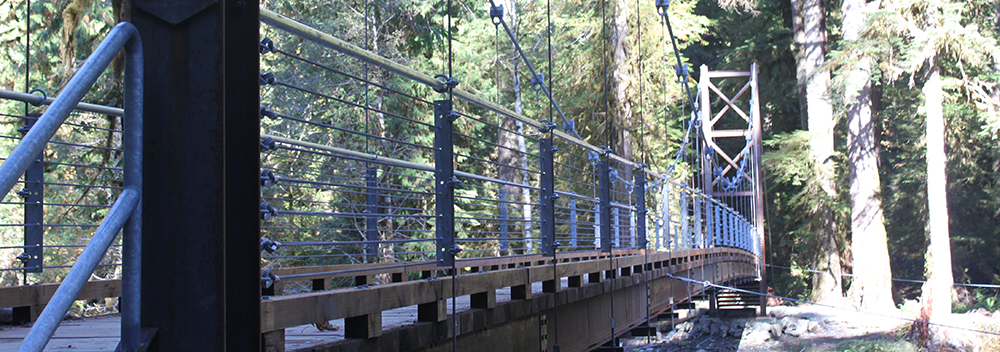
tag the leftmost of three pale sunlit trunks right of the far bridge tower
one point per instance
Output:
(826, 285)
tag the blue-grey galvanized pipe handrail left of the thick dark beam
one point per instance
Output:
(126, 214)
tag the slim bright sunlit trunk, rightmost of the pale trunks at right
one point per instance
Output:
(937, 290)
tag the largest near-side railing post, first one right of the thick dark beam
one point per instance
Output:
(445, 182)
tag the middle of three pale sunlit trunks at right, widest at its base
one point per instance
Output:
(871, 289)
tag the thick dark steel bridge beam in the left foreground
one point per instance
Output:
(201, 252)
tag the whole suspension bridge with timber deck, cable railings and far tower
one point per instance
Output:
(373, 217)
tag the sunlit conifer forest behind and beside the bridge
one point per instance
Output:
(854, 95)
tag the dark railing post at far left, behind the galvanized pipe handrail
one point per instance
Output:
(33, 194)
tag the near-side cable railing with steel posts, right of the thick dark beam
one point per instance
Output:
(352, 170)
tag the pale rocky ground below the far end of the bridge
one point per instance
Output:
(814, 328)
